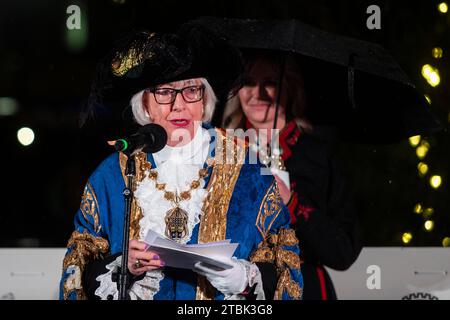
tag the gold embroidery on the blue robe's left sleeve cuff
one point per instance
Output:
(85, 247)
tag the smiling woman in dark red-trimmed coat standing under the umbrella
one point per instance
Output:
(320, 203)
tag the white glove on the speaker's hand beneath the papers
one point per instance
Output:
(230, 281)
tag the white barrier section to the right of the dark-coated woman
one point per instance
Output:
(396, 273)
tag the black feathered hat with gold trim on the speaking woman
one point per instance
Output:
(144, 59)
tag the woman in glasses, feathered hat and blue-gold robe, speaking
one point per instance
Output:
(173, 80)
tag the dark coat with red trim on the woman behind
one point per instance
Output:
(322, 209)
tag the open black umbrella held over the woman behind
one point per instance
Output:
(352, 85)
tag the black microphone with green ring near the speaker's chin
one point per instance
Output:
(150, 138)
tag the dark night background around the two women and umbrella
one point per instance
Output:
(47, 70)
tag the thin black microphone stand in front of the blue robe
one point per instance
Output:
(123, 278)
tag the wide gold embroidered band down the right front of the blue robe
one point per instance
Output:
(220, 189)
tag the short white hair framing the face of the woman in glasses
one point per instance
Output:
(142, 117)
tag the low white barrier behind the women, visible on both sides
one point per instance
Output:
(379, 273)
